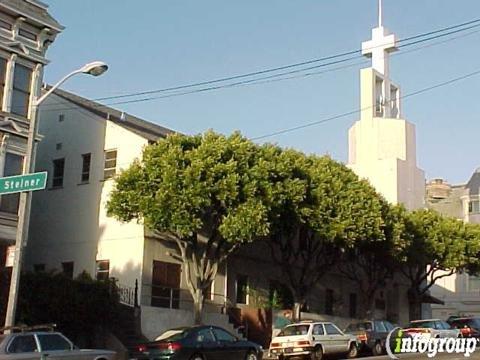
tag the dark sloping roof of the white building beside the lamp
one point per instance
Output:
(146, 129)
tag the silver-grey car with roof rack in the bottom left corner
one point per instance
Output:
(46, 345)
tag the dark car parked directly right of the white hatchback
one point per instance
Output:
(371, 335)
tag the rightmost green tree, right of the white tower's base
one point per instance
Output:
(433, 247)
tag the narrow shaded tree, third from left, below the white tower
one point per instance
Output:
(372, 261)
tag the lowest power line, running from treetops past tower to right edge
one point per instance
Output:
(335, 117)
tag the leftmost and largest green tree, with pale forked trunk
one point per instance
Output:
(205, 193)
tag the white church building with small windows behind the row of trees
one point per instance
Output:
(84, 146)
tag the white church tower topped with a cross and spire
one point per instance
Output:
(382, 145)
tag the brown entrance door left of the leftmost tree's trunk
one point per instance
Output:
(166, 284)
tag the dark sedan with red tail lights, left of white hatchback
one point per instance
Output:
(198, 343)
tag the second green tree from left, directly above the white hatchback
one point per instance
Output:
(320, 208)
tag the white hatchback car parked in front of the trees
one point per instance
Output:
(313, 339)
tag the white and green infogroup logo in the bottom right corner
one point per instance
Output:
(399, 342)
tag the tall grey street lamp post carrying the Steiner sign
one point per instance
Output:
(95, 68)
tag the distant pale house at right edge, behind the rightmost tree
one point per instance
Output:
(460, 292)
